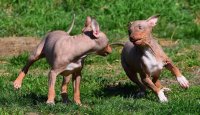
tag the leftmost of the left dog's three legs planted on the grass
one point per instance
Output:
(51, 82)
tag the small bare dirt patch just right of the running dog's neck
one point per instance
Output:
(167, 42)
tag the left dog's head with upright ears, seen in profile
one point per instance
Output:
(92, 30)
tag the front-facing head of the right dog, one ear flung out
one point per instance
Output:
(140, 30)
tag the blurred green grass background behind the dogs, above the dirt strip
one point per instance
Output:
(179, 19)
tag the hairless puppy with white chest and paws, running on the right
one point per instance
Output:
(143, 55)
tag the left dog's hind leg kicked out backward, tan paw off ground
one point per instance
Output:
(36, 55)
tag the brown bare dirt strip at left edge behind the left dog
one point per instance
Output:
(12, 46)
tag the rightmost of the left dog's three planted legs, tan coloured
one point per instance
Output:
(76, 77)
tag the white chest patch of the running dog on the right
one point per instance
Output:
(152, 64)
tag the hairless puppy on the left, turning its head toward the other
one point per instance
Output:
(66, 54)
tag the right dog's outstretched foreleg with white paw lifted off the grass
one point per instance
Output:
(176, 72)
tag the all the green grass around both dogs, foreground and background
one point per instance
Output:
(105, 89)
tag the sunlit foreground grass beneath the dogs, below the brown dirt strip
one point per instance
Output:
(105, 89)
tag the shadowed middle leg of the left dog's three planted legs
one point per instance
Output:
(64, 90)
